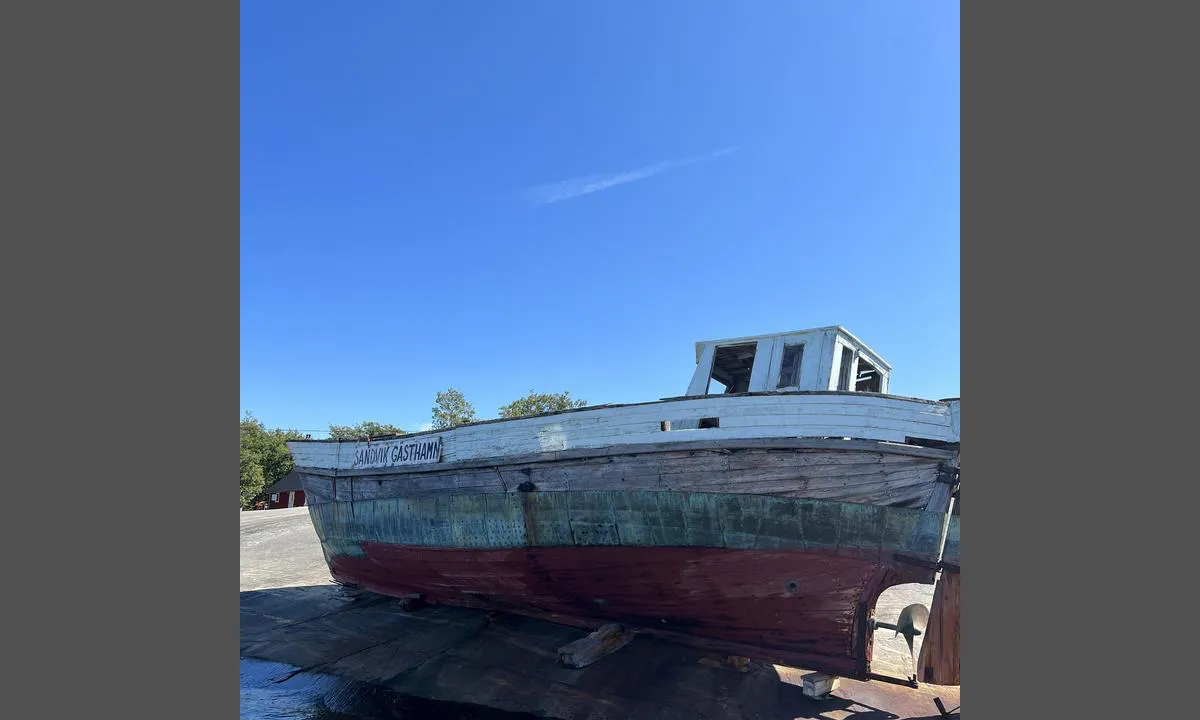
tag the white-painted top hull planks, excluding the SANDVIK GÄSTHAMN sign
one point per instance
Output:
(867, 417)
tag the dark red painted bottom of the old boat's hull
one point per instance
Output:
(801, 608)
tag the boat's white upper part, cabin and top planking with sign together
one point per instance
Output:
(819, 385)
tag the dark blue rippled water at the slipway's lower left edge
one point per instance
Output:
(271, 692)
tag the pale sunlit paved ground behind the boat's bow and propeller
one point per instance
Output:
(280, 550)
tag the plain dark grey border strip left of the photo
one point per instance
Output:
(121, 284)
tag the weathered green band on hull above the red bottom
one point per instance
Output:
(639, 519)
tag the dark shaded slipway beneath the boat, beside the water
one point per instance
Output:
(511, 664)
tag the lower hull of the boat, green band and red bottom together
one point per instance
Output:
(791, 581)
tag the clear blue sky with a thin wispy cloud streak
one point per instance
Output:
(567, 196)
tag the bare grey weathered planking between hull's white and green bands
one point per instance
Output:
(847, 471)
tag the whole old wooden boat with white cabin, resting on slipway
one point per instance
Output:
(761, 514)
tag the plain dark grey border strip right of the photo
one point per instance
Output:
(1067, 193)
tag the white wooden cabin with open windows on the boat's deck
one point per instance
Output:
(818, 359)
